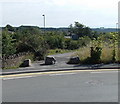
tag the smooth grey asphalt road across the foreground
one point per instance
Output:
(71, 86)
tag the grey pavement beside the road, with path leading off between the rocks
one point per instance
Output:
(62, 59)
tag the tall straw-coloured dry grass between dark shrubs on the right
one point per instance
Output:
(106, 55)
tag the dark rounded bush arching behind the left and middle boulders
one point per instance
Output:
(35, 44)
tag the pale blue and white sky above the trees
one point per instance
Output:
(59, 13)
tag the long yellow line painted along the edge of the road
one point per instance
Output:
(55, 72)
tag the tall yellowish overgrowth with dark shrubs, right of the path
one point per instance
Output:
(104, 49)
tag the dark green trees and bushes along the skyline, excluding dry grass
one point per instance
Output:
(33, 39)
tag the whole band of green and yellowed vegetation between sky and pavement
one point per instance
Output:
(93, 47)
